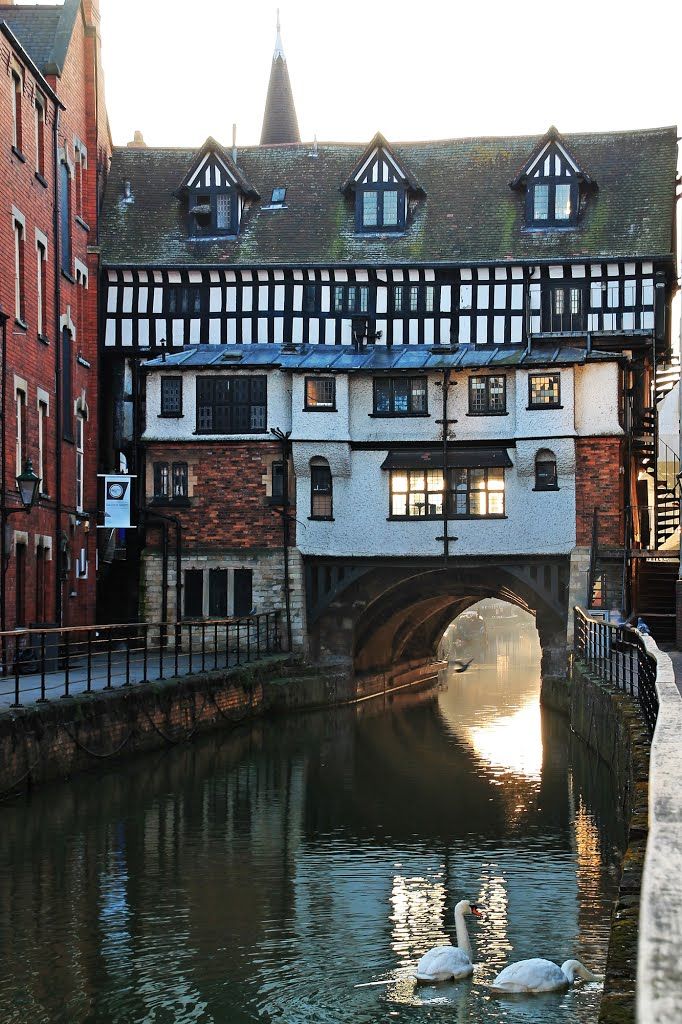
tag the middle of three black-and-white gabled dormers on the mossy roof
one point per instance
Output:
(382, 188)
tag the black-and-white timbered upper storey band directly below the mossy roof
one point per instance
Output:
(497, 306)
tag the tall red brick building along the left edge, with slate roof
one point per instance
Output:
(55, 153)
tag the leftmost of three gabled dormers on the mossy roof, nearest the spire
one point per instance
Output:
(216, 192)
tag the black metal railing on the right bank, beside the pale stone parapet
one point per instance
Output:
(618, 656)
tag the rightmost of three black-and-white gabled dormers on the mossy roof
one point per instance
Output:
(555, 185)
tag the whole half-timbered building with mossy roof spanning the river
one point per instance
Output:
(366, 362)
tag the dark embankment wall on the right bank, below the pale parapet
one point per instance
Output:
(611, 723)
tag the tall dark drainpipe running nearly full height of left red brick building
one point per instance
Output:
(59, 554)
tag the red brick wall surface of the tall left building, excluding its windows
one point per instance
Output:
(33, 360)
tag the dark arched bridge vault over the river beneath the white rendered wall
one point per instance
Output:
(379, 614)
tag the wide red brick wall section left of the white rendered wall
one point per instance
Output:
(229, 497)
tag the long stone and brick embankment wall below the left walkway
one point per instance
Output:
(60, 739)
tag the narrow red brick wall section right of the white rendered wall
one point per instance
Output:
(600, 484)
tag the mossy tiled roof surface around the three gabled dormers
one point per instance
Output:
(470, 214)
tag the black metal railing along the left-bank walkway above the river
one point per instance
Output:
(41, 664)
